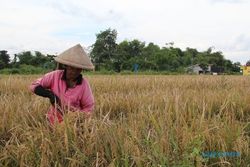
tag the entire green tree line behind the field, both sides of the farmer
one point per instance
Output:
(109, 55)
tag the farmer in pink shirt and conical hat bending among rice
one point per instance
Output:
(66, 89)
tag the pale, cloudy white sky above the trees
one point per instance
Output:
(52, 26)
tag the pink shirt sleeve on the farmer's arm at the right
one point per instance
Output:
(87, 100)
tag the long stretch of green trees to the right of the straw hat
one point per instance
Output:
(109, 55)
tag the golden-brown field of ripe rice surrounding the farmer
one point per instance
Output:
(151, 120)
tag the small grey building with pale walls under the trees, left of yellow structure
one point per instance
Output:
(211, 69)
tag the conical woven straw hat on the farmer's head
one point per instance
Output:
(75, 57)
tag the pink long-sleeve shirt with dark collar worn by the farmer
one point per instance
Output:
(78, 98)
